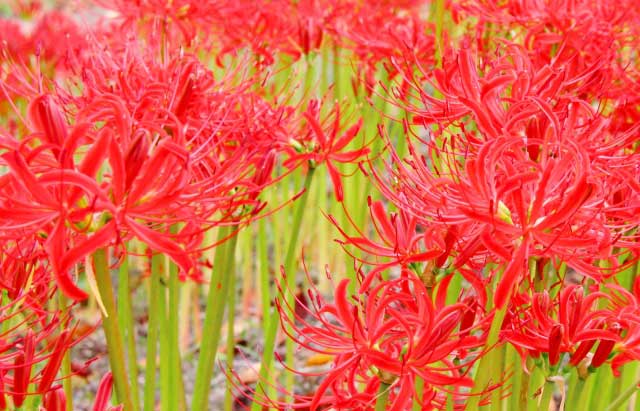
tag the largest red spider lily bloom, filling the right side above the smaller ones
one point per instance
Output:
(532, 185)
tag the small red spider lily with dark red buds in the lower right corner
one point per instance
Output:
(570, 323)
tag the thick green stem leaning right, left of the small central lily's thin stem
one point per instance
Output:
(216, 300)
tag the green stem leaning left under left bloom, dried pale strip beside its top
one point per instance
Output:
(112, 333)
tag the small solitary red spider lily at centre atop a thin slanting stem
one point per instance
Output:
(320, 144)
